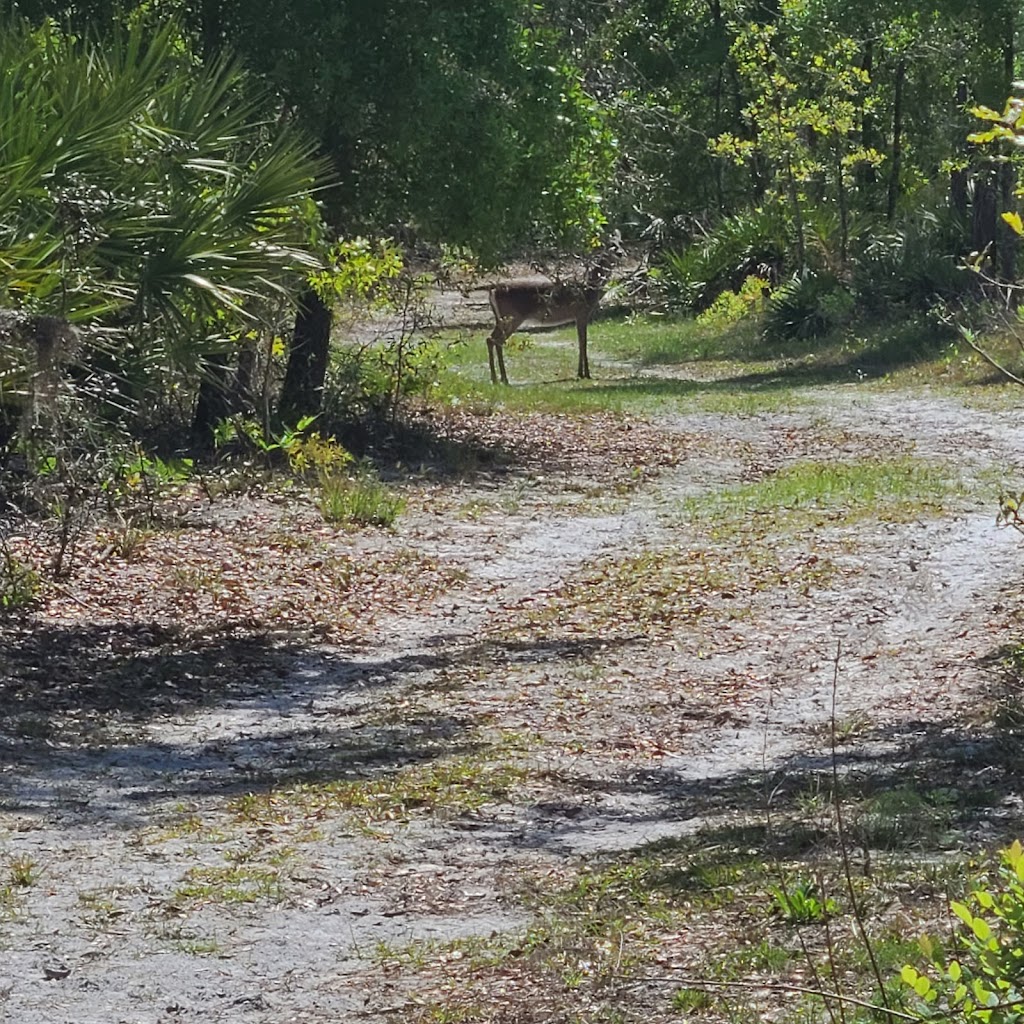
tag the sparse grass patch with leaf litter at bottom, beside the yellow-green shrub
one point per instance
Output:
(670, 928)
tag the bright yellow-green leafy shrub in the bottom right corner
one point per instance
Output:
(984, 982)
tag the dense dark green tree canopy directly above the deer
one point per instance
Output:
(432, 111)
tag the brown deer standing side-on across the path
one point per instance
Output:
(546, 305)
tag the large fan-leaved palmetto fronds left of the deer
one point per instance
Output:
(144, 192)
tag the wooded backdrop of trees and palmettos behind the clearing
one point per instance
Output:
(175, 176)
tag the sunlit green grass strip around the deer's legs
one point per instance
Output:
(651, 365)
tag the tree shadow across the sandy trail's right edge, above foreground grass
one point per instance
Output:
(941, 785)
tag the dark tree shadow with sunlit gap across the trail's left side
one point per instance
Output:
(77, 703)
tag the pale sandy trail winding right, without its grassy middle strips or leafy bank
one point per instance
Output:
(629, 741)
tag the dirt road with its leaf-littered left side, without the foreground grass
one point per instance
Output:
(605, 656)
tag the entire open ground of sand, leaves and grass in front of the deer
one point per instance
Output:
(535, 755)
